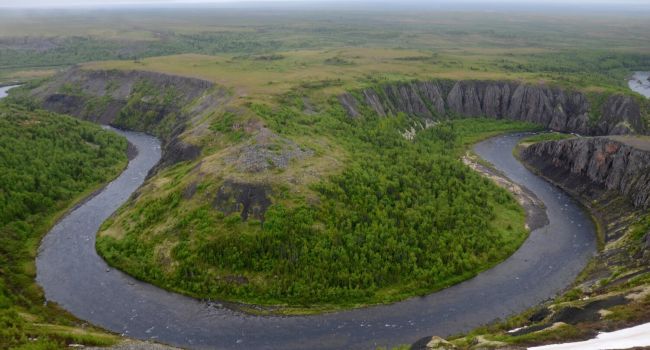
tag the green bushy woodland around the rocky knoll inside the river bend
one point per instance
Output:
(402, 218)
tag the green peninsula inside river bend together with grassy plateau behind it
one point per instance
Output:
(354, 224)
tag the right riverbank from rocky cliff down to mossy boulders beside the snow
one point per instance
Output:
(613, 292)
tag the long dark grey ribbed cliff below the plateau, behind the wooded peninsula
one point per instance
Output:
(553, 108)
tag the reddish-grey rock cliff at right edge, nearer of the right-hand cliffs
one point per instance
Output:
(610, 164)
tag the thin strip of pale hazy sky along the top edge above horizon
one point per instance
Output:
(90, 3)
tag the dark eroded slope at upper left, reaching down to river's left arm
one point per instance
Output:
(155, 103)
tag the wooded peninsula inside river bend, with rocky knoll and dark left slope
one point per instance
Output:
(260, 216)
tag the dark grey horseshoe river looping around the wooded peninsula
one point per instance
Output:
(75, 277)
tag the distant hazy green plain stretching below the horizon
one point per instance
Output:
(578, 51)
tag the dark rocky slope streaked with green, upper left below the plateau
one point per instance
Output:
(106, 96)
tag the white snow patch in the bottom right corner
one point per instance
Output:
(621, 339)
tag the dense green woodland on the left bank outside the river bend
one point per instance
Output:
(47, 163)
